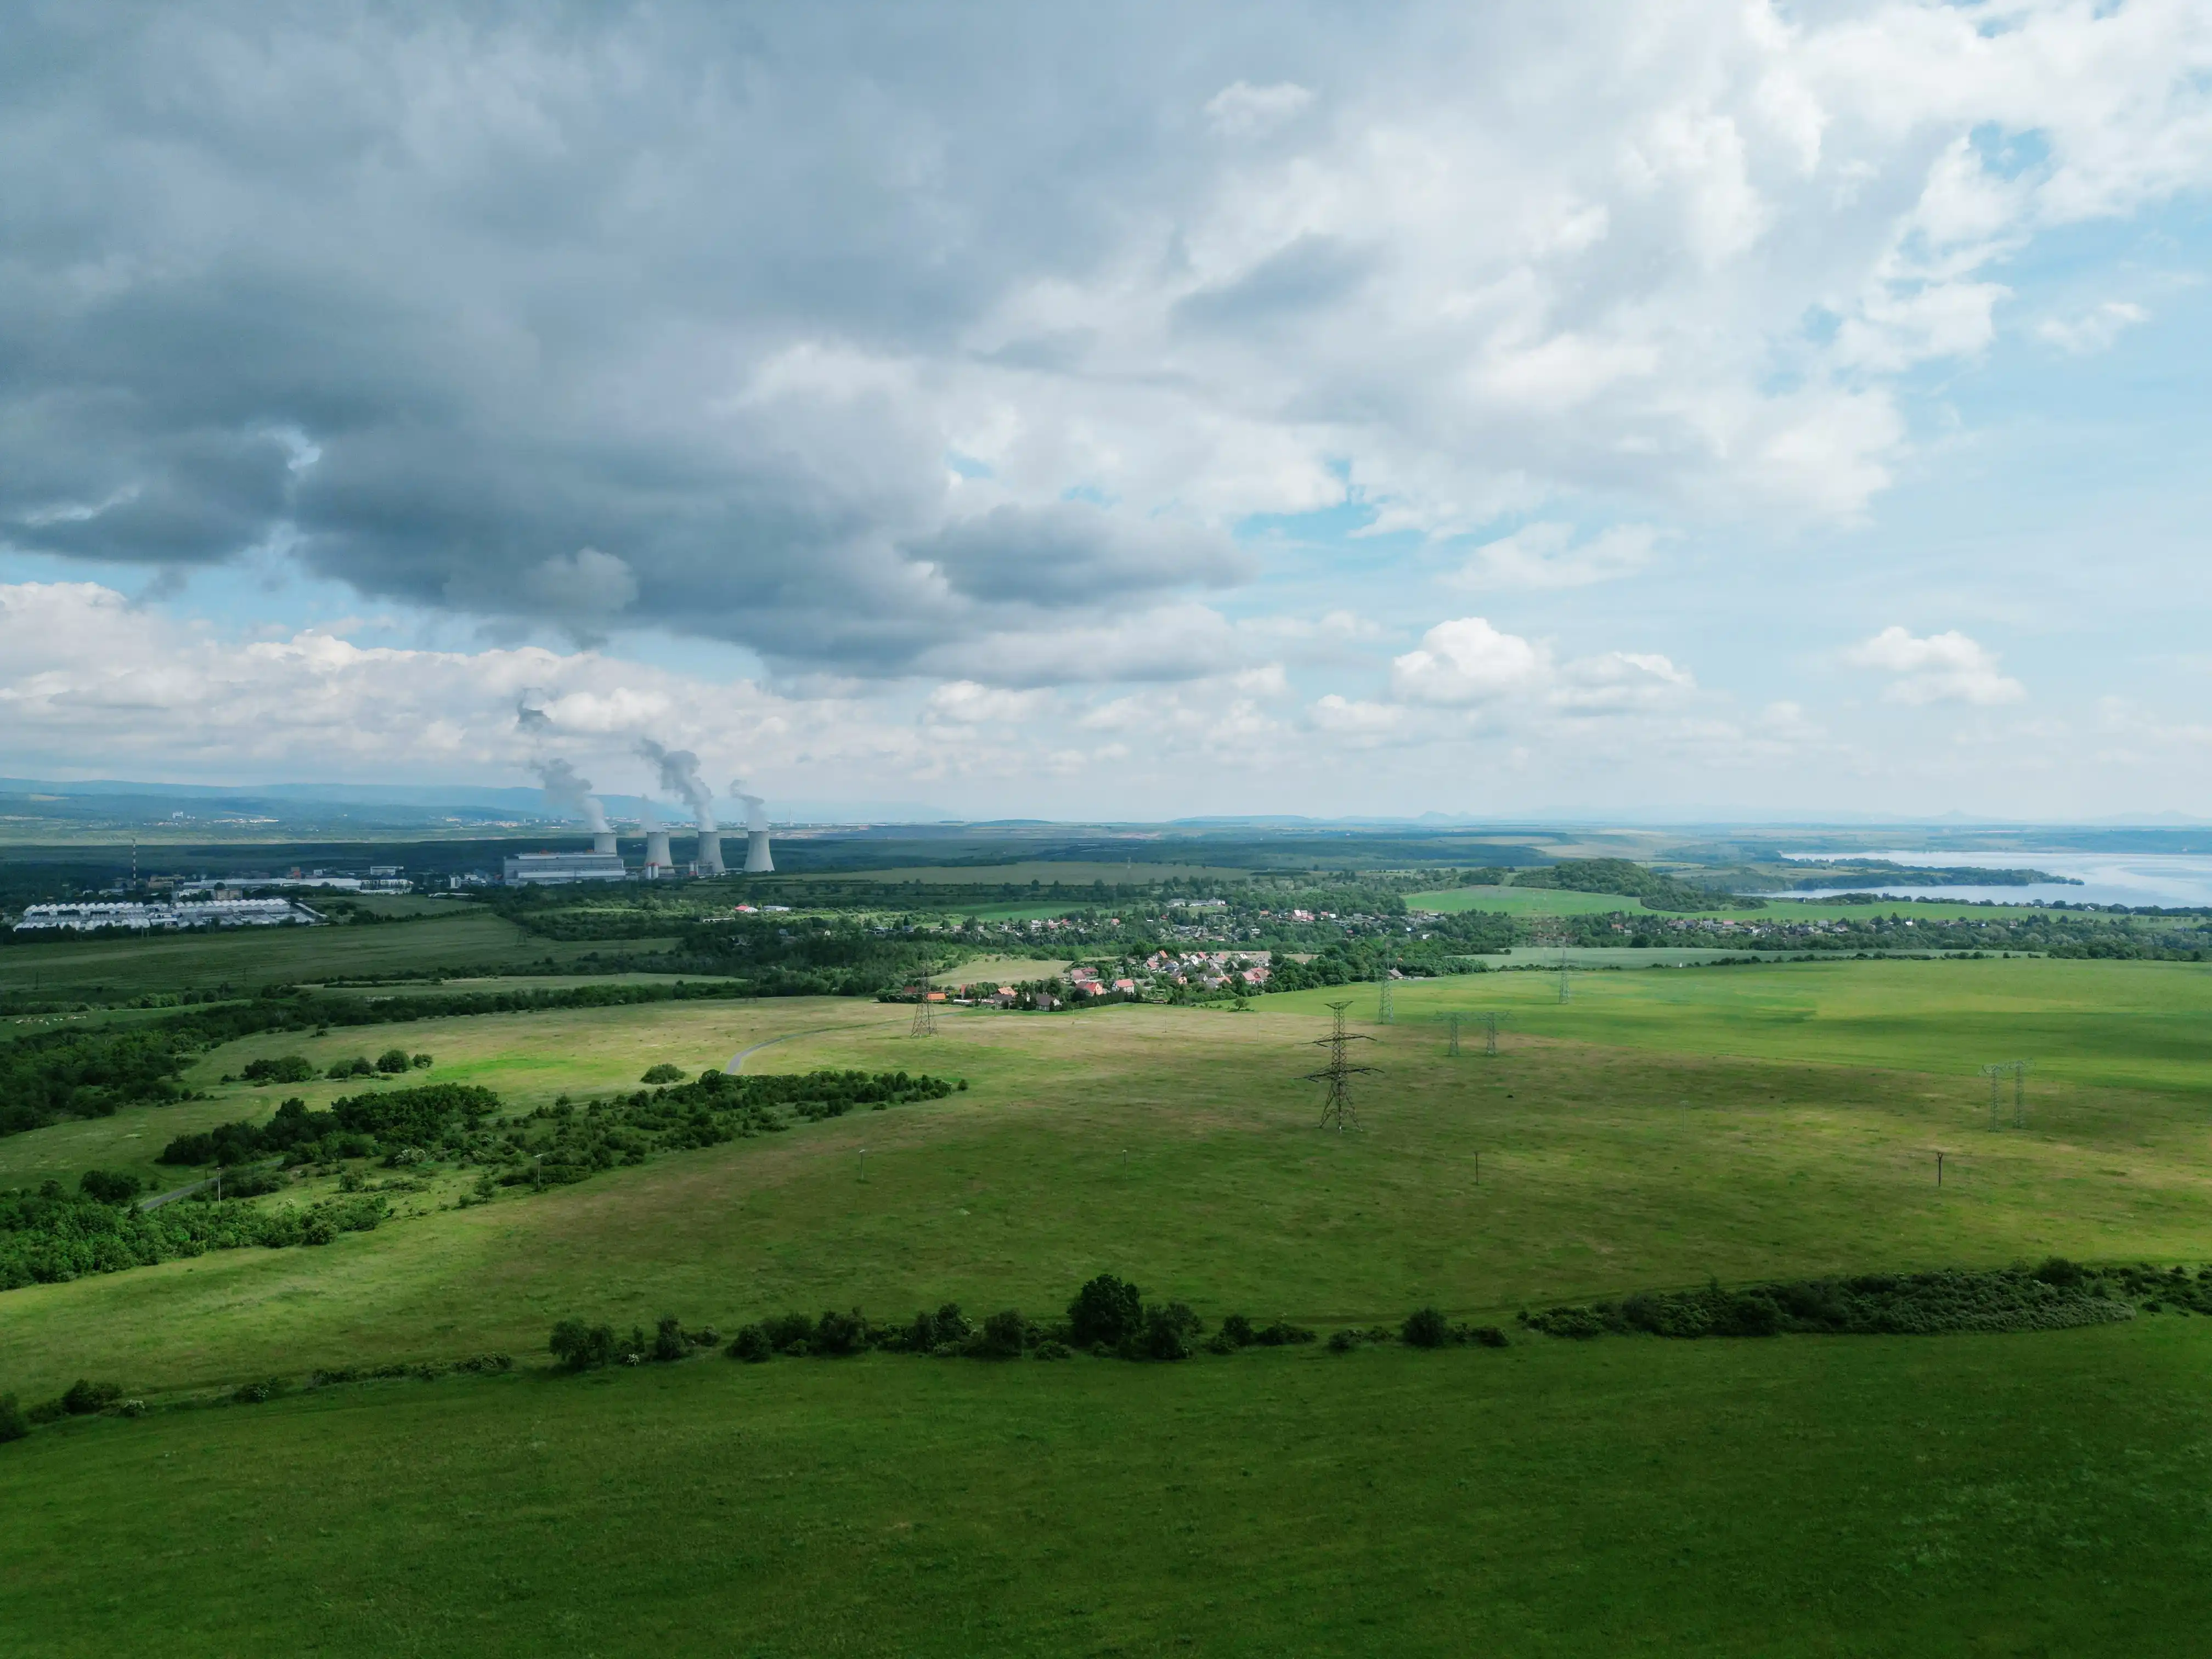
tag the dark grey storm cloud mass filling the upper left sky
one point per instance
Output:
(483, 309)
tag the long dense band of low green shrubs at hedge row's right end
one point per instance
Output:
(2056, 1295)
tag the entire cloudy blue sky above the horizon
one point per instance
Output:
(1123, 413)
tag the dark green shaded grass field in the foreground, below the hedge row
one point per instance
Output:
(1861, 1496)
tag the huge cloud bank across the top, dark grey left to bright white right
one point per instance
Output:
(501, 313)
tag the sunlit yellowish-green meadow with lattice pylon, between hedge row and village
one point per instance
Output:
(1176, 1147)
